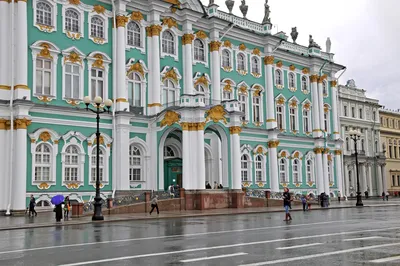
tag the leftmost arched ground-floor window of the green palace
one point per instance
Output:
(42, 162)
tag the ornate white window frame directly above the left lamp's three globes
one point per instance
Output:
(92, 63)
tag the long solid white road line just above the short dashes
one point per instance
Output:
(225, 246)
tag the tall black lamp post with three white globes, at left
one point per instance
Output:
(98, 101)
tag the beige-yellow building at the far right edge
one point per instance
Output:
(390, 138)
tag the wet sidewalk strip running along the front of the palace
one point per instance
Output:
(46, 219)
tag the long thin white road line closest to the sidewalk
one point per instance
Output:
(164, 237)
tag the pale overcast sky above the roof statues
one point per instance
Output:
(365, 37)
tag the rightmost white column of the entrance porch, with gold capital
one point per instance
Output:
(235, 149)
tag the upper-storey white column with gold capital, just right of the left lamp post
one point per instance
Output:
(121, 91)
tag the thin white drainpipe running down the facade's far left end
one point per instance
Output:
(10, 172)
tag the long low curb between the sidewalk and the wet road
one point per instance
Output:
(179, 216)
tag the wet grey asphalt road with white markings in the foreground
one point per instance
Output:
(368, 236)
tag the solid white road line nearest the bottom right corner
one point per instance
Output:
(320, 255)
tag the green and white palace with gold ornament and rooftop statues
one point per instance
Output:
(199, 95)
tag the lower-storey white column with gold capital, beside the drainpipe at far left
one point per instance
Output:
(20, 165)
